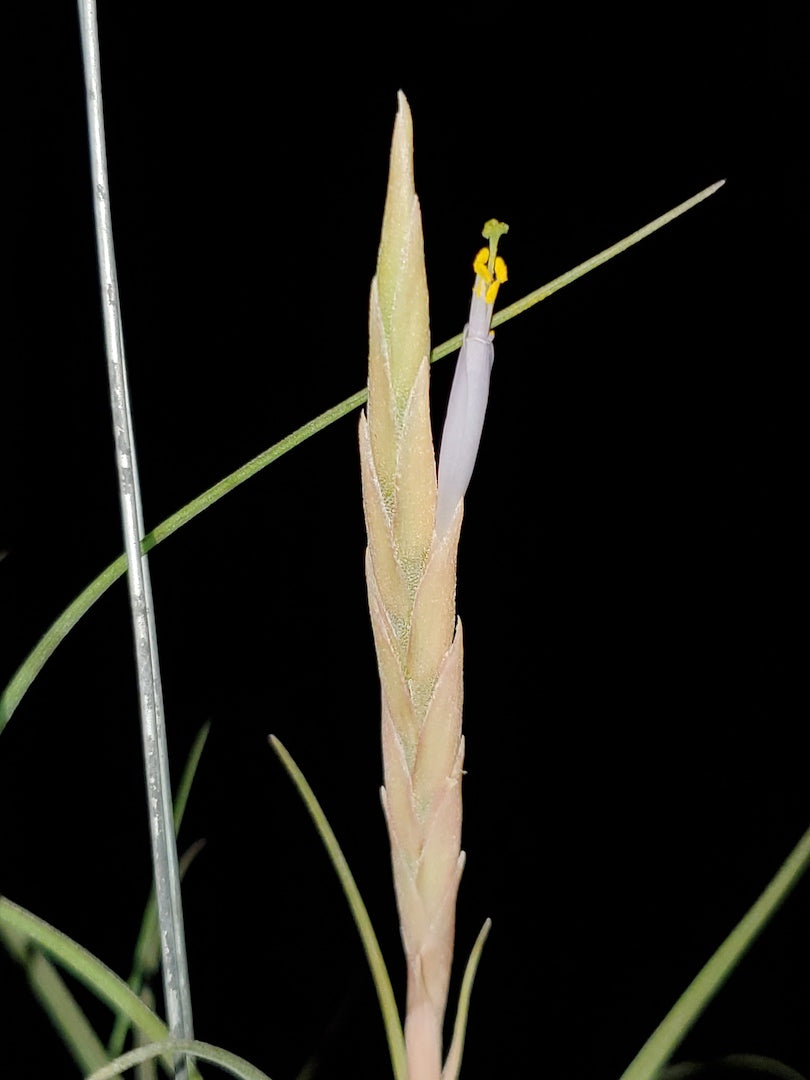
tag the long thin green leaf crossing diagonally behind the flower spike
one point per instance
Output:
(48, 644)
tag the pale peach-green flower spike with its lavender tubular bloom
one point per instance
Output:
(413, 523)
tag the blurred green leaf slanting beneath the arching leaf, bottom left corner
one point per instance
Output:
(55, 995)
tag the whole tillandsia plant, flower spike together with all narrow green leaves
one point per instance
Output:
(414, 514)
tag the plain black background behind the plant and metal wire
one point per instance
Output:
(629, 566)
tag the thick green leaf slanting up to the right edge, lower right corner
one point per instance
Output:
(670, 1033)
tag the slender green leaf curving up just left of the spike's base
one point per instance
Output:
(363, 923)
